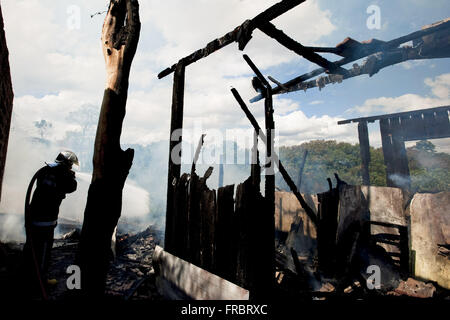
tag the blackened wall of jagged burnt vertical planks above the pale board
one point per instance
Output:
(226, 236)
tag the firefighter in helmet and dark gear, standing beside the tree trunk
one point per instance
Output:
(53, 182)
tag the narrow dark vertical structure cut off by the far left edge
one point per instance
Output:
(6, 99)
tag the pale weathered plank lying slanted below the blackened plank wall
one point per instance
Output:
(193, 281)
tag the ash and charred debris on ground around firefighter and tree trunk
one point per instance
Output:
(131, 274)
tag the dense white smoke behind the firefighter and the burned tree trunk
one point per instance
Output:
(25, 156)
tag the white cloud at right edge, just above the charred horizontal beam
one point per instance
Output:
(439, 96)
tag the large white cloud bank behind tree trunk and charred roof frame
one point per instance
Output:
(56, 70)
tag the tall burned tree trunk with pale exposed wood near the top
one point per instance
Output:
(120, 35)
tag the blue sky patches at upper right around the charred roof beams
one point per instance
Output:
(398, 18)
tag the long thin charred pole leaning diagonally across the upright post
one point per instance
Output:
(277, 161)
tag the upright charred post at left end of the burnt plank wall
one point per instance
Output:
(176, 138)
